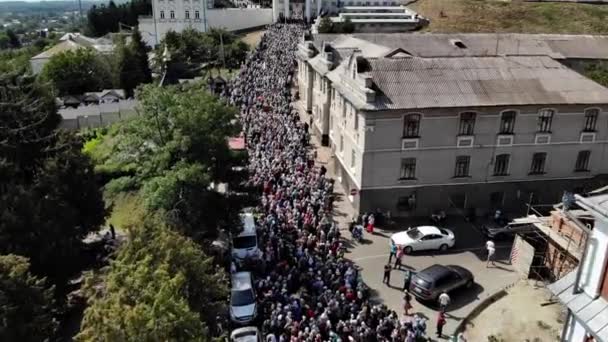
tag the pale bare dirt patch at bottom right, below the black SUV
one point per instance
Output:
(522, 315)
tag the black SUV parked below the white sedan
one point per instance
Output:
(429, 283)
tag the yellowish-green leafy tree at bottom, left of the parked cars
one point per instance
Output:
(161, 287)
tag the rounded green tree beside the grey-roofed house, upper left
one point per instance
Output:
(76, 72)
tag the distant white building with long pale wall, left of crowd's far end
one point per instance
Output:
(177, 15)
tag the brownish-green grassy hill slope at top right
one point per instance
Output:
(512, 16)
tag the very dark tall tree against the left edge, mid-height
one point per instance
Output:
(42, 217)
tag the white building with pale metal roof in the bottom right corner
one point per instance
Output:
(585, 290)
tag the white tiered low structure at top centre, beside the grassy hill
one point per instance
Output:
(376, 19)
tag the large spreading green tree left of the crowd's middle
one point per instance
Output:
(172, 152)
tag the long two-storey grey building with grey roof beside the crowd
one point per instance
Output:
(425, 122)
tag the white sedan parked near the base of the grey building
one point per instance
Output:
(423, 238)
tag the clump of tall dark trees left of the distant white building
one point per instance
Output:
(104, 19)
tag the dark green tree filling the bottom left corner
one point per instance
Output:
(26, 303)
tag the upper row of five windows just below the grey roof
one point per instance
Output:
(411, 122)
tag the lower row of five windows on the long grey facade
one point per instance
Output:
(501, 165)
